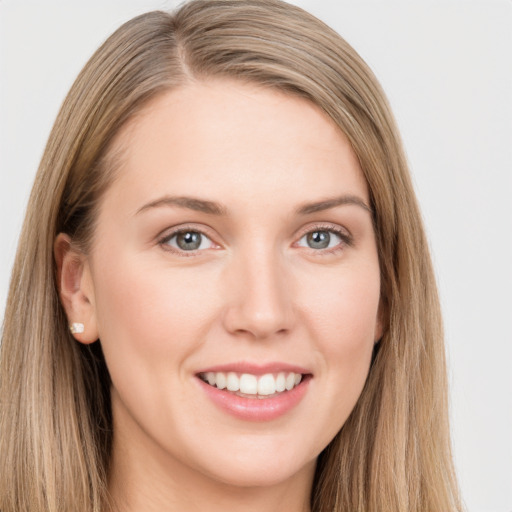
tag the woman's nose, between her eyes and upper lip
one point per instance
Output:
(260, 294)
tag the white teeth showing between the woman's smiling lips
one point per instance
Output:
(248, 385)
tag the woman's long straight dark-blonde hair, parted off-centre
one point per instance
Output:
(393, 453)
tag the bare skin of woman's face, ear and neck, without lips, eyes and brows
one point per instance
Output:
(255, 291)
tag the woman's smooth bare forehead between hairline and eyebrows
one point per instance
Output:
(237, 140)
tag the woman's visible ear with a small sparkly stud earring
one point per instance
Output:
(76, 289)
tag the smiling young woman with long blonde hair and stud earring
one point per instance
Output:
(223, 295)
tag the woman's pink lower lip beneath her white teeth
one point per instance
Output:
(256, 409)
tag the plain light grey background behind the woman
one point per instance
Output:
(447, 69)
